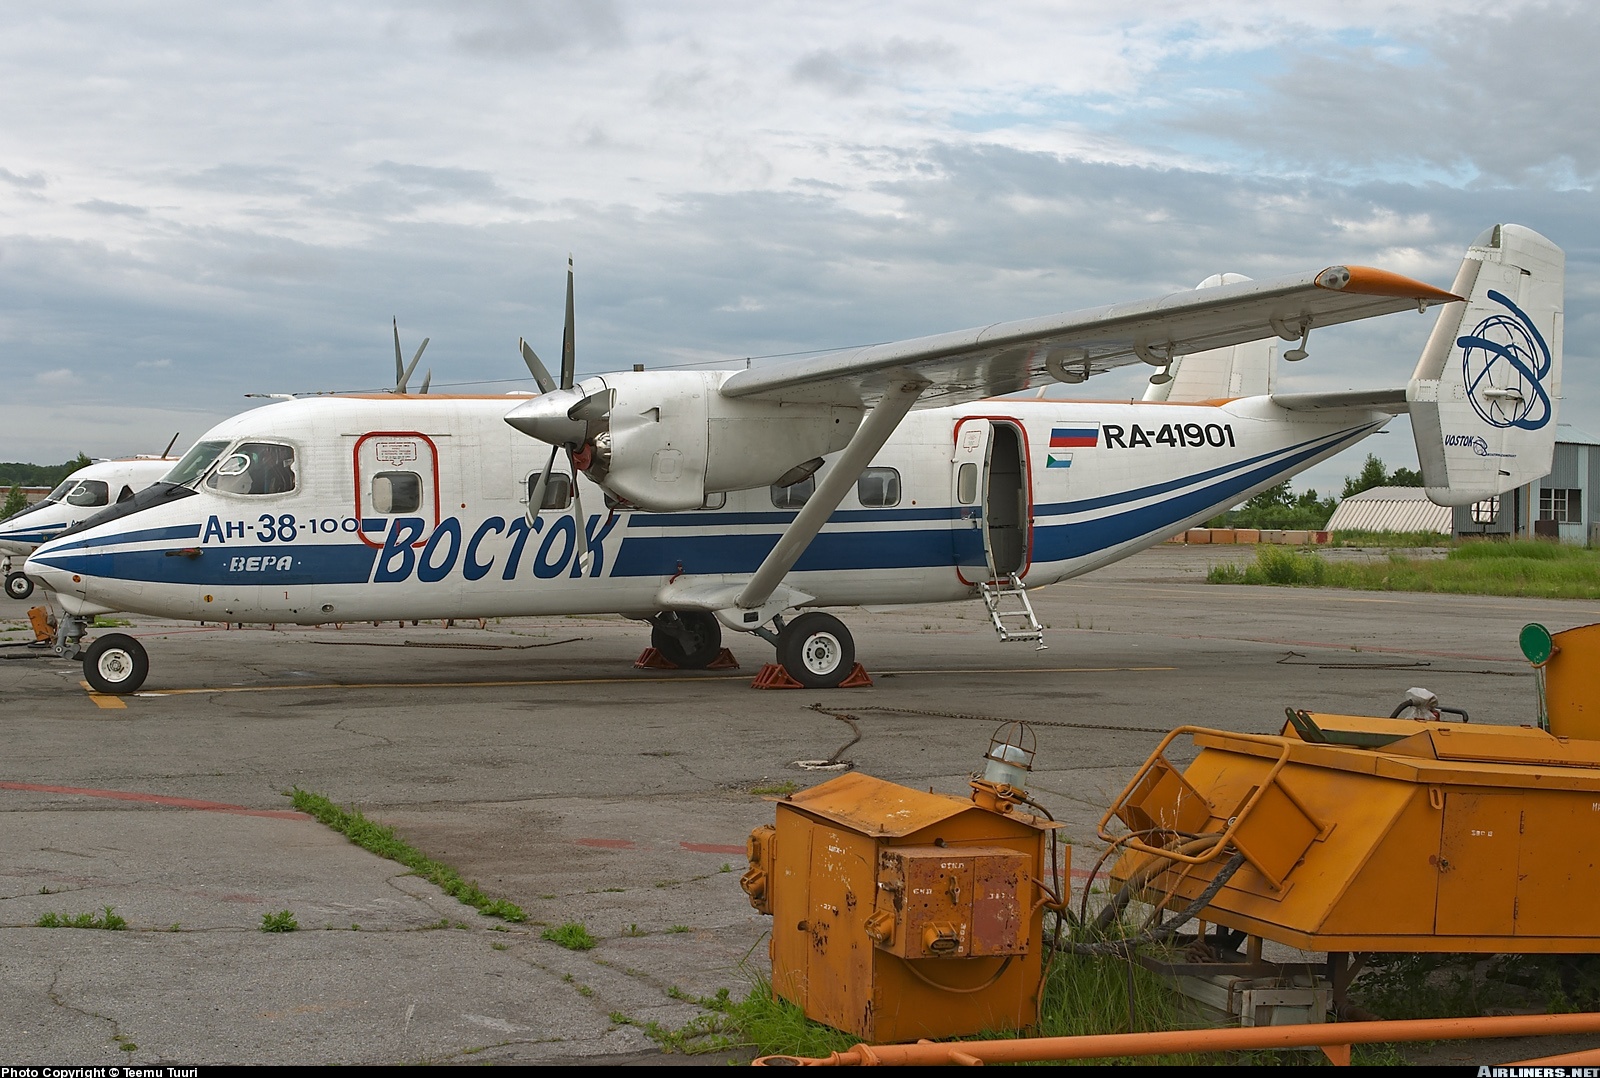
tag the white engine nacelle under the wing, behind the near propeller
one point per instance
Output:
(674, 437)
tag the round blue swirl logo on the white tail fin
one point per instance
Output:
(1505, 362)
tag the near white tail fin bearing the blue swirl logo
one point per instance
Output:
(1484, 394)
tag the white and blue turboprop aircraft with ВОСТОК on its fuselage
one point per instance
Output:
(737, 500)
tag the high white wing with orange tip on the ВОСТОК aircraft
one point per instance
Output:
(1014, 356)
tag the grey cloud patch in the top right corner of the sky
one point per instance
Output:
(1503, 100)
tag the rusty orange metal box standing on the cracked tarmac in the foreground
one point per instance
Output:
(950, 948)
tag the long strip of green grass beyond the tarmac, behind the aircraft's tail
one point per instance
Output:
(1526, 569)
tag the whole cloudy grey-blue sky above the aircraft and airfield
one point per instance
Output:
(207, 201)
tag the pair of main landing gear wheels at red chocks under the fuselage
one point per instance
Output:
(814, 649)
